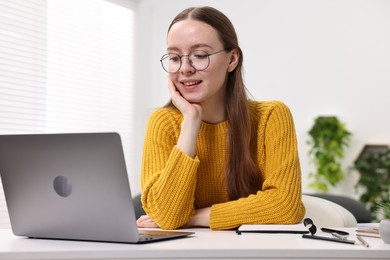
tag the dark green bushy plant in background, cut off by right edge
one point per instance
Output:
(374, 170)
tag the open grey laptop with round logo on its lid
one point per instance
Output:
(71, 186)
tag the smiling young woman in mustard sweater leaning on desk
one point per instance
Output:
(212, 157)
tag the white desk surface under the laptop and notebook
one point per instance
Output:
(205, 244)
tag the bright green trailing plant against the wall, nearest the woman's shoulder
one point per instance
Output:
(328, 139)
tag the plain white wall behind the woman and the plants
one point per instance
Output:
(326, 57)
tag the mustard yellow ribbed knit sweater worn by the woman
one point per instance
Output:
(174, 184)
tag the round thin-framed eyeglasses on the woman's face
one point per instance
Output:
(199, 60)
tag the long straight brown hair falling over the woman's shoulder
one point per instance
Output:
(242, 171)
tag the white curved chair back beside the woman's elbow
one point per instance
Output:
(325, 213)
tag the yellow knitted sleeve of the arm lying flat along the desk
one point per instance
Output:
(279, 200)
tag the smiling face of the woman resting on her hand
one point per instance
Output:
(206, 85)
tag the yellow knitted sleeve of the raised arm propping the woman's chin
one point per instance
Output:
(168, 177)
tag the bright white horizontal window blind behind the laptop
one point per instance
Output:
(66, 66)
